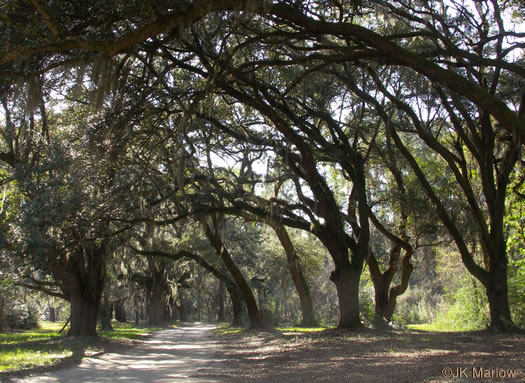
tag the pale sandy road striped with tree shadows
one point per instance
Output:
(184, 354)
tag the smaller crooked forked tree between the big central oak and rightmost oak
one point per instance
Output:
(403, 216)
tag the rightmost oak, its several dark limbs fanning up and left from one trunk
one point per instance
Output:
(481, 161)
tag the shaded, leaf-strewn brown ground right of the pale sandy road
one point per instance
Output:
(367, 357)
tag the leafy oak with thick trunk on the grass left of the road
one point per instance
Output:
(68, 179)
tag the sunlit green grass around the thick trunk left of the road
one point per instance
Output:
(23, 350)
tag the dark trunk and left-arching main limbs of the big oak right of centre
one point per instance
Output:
(332, 231)
